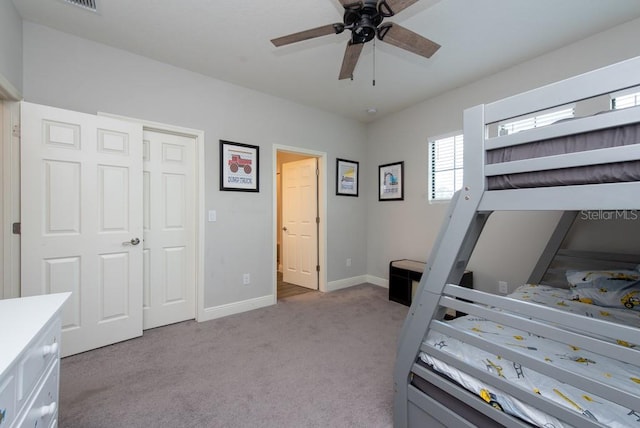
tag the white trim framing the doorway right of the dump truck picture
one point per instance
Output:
(322, 208)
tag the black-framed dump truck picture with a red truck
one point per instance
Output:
(239, 167)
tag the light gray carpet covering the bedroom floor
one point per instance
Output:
(313, 360)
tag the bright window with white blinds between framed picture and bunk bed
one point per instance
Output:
(445, 167)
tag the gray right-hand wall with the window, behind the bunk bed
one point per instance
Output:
(512, 241)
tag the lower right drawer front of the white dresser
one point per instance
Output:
(42, 410)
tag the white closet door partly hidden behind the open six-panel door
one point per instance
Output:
(169, 228)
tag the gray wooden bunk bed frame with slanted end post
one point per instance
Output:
(442, 402)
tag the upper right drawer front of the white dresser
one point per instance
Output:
(36, 359)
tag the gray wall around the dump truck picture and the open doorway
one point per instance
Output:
(76, 74)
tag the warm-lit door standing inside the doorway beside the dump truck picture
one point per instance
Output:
(300, 229)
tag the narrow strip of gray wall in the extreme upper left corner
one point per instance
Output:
(10, 44)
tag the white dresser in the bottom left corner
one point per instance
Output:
(30, 360)
